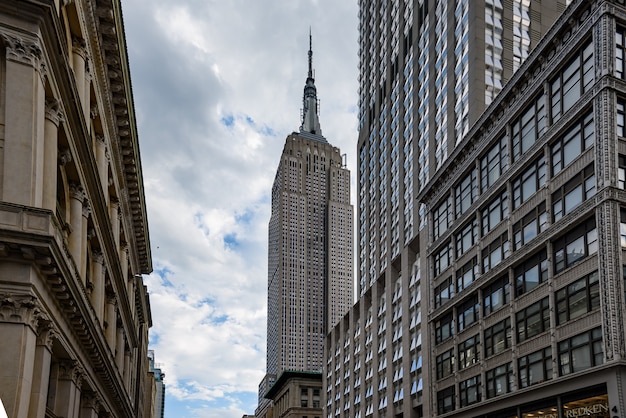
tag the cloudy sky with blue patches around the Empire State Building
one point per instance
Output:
(217, 87)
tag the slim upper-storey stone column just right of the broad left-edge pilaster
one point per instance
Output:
(51, 130)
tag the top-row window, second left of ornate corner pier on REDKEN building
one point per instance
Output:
(528, 127)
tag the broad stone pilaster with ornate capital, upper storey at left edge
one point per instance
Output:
(23, 155)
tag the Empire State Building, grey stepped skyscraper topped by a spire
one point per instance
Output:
(310, 247)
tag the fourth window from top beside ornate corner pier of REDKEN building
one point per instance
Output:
(575, 245)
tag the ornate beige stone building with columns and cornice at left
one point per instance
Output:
(74, 312)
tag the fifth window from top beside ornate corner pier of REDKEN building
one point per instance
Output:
(578, 298)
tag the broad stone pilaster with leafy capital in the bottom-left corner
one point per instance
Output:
(18, 322)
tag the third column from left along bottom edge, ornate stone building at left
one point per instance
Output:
(67, 397)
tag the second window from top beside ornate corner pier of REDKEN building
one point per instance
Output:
(569, 147)
